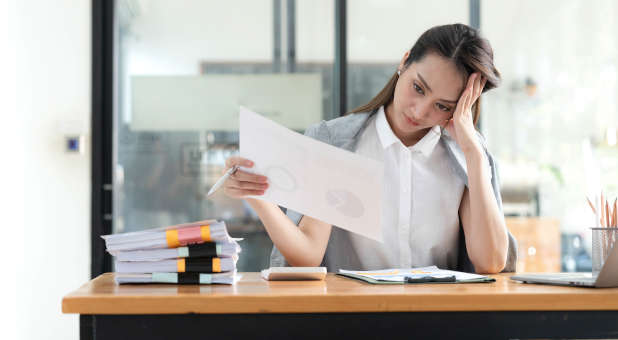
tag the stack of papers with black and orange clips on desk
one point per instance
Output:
(197, 253)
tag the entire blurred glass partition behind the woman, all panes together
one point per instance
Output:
(185, 66)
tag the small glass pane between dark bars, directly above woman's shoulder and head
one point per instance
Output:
(380, 32)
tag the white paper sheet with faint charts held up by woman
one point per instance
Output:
(313, 178)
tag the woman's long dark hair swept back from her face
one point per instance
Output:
(458, 42)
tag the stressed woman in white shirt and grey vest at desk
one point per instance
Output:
(442, 203)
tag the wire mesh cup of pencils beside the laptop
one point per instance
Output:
(605, 232)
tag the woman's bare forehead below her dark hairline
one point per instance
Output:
(441, 75)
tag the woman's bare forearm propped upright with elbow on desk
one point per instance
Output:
(483, 223)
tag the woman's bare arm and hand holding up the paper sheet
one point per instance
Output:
(303, 245)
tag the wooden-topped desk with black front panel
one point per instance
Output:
(342, 308)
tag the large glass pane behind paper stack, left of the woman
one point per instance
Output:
(184, 67)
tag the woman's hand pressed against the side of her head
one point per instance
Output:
(461, 125)
